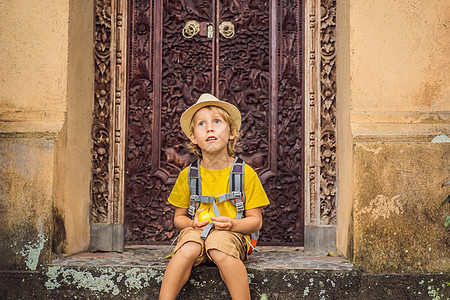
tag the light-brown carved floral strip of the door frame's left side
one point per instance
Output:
(102, 112)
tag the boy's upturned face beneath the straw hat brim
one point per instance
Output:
(210, 131)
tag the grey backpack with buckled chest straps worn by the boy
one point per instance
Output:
(236, 195)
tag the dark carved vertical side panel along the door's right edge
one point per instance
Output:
(290, 176)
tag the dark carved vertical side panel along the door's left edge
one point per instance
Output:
(140, 116)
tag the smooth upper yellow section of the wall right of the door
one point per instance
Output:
(399, 55)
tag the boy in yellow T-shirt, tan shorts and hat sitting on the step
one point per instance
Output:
(213, 129)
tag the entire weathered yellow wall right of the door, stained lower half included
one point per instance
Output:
(393, 100)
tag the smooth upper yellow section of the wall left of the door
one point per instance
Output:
(34, 40)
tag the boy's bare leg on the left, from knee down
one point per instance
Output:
(179, 269)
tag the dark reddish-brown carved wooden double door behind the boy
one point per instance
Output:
(248, 53)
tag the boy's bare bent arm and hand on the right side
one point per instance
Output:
(251, 223)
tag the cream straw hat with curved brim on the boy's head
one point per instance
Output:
(209, 100)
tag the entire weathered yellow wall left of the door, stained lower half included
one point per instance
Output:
(46, 92)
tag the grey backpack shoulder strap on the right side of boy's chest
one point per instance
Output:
(236, 185)
